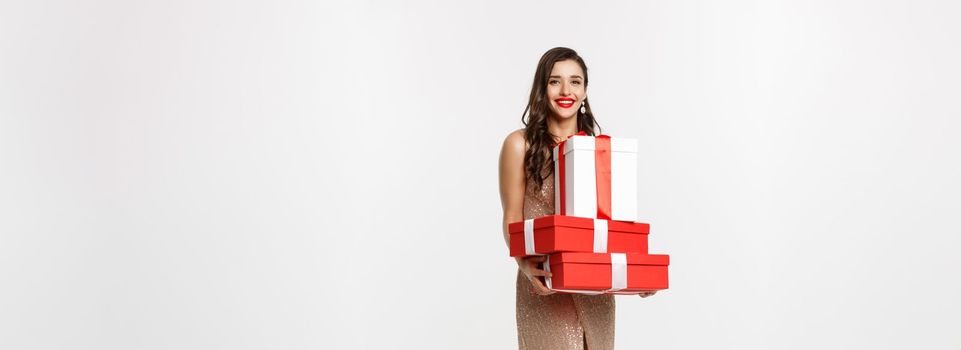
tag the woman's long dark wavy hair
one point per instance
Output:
(538, 162)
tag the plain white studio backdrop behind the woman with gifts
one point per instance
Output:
(299, 175)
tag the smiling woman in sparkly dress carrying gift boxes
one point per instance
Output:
(557, 108)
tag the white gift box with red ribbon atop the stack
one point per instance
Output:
(582, 183)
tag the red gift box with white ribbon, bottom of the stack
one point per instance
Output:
(614, 273)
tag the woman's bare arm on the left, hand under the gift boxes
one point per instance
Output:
(512, 186)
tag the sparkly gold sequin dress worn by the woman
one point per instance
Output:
(560, 320)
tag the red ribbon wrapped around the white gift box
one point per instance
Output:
(602, 174)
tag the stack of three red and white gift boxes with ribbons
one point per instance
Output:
(593, 244)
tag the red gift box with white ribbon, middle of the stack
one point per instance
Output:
(556, 233)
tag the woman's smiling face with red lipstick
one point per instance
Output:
(565, 88)
